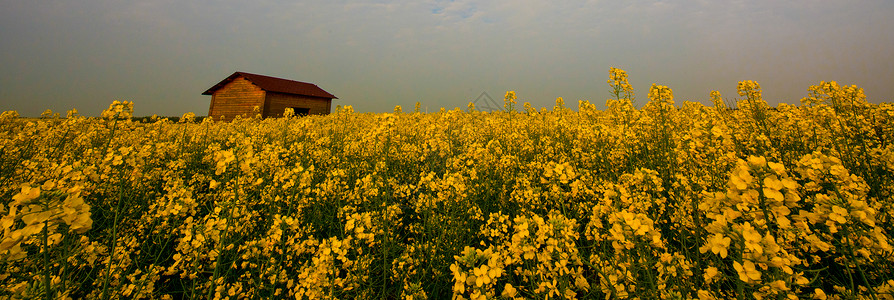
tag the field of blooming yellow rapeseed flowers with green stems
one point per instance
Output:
(670, 200)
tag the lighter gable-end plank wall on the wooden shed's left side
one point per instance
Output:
(239, 97)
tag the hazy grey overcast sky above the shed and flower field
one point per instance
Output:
(373, 55)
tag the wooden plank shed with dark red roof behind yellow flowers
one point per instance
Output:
(241, 92)
